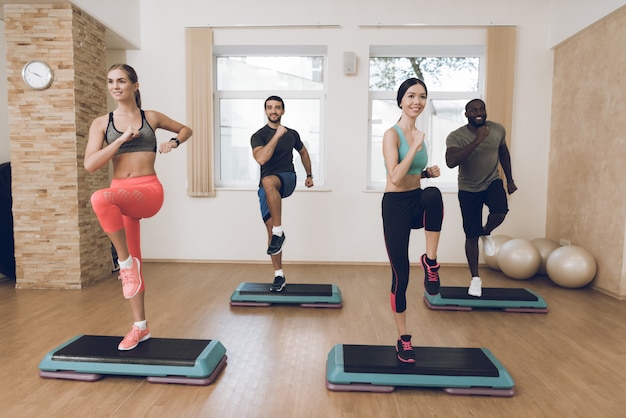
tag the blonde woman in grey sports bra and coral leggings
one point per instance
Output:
(127, 137)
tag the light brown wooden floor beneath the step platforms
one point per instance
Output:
(569, 362)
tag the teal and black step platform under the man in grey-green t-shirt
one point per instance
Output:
(507, 299)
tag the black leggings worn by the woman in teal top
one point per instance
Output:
(402, 212)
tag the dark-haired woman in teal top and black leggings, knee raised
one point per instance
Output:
(406, 206)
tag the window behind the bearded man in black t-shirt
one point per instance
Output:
(244, 79)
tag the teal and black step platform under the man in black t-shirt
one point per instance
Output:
(305, 295)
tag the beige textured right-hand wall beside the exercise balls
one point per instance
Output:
(587, 175)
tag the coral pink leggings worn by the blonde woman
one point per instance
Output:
(124, 203)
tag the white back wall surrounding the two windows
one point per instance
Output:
(343, 223)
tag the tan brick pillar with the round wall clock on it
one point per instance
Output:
(58, 241)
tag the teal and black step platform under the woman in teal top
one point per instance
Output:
(458, 371)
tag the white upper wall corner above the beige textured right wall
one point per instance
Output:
(568, 17)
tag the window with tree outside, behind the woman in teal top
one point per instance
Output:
(453, 77)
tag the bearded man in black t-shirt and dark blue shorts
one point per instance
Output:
(272, 148)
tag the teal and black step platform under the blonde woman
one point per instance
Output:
(160, 360)
